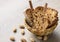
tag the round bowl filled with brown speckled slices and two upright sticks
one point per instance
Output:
(42, 20)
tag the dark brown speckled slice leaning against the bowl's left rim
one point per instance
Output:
(29, 17)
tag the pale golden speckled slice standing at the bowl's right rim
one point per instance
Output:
(52, 16)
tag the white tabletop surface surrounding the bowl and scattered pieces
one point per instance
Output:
(12, 16)
